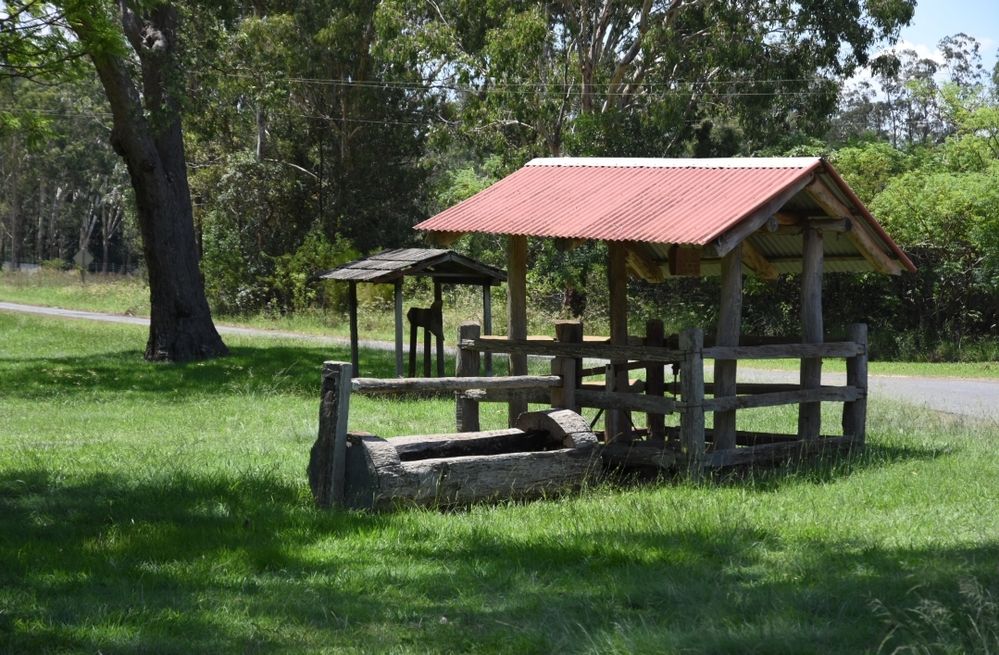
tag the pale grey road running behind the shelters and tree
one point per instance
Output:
(962, 397)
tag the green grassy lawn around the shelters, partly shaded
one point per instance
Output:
(162, 508)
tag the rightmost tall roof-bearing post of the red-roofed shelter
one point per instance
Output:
(810, 414)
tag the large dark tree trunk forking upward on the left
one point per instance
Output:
(147, 134)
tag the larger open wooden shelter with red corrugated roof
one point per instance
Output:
(688, 217)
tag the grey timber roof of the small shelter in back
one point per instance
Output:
(444, 266)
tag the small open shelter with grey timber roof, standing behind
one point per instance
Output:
(393, 266)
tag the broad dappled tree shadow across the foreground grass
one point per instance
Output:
(243, 563)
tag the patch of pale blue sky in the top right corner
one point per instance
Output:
(935, 19)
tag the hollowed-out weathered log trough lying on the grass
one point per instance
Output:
(378, 477)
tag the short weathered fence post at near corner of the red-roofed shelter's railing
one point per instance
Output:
(692, 396)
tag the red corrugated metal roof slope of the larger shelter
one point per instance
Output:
(678, 201)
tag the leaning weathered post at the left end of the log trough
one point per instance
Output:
(327, 459)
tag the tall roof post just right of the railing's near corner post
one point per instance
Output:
(729, 325)
